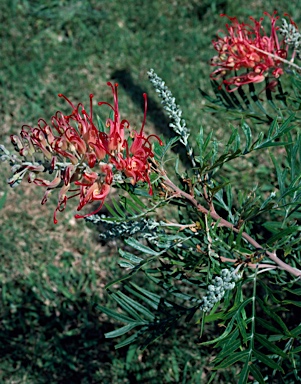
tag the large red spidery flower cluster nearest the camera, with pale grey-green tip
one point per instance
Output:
(84, 160)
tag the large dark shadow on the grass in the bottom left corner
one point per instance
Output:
(62, 341)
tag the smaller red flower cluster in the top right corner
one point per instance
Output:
(249, 48)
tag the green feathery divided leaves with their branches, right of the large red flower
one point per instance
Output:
(185, 259)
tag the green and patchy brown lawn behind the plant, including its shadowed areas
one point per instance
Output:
(52, 276)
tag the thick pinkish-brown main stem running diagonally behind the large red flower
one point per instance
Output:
(272, 255)
